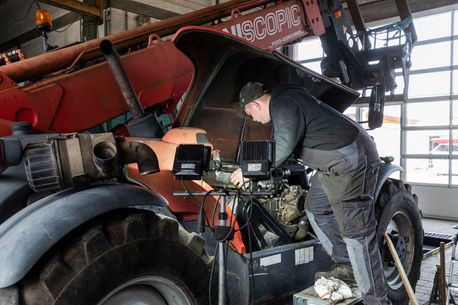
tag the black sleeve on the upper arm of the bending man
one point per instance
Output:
(289, 125)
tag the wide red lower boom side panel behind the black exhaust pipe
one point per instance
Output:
(75, 102)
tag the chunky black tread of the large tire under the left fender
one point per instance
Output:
(71, 256)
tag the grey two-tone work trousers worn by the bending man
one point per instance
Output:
(340, 207)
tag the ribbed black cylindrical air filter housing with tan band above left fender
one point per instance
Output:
(79, 160)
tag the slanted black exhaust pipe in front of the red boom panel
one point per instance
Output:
(114, 61)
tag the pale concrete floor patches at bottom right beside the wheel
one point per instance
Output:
(428, 269)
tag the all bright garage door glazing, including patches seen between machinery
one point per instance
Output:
(421, 132)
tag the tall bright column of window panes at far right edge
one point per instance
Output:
(431, 128)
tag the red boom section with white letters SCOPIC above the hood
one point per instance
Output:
(268, 28)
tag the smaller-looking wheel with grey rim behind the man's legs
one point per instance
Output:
(399, 216)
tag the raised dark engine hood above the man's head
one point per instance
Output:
(223, 63)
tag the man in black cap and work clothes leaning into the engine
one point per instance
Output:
(340, 202)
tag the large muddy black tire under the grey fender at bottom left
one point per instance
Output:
(126, 257)
